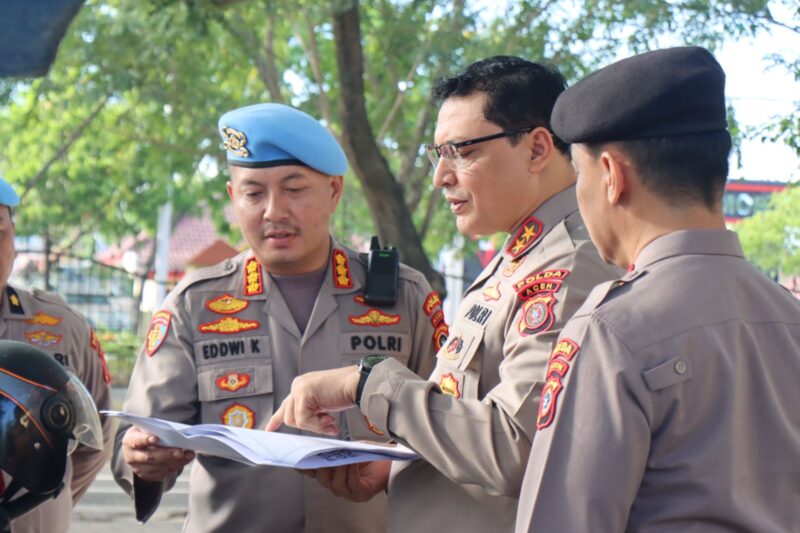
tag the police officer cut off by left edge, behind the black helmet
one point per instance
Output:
(45, 321)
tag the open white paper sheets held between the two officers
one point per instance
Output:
(256, 447)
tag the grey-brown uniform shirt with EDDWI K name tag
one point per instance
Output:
(225, 349)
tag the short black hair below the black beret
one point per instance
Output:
(681, 168)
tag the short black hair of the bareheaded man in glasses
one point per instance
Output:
(520, 93)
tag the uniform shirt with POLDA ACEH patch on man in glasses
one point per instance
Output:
(473, 421)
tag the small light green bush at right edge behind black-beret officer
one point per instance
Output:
(771, 238)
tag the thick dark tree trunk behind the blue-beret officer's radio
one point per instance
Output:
(383, 192)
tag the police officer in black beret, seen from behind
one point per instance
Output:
(671, 396)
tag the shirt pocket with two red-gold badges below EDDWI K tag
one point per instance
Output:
(238, 394)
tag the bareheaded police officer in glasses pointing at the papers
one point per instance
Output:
(501, 169)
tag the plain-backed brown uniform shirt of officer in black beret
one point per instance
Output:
(673, 402)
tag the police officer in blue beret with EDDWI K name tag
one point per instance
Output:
(230, 338)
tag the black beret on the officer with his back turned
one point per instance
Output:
(675, 91)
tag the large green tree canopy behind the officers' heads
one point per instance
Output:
(127, 115)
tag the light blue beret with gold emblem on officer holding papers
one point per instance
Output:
(270, 135)
